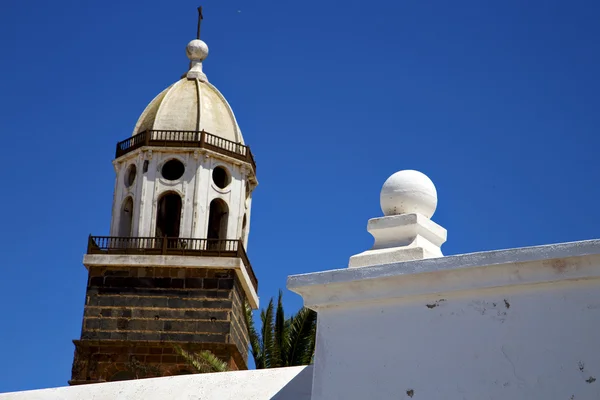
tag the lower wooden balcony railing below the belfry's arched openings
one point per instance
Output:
(172, 247)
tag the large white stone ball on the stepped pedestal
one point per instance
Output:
(408, 192)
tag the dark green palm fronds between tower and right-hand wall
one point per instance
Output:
(282, 342)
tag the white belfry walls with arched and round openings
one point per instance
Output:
(196, 188)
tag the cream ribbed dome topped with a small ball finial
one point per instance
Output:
(191, 104)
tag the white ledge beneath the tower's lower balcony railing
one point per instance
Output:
(122, 260)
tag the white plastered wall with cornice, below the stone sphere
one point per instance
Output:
(510, 324)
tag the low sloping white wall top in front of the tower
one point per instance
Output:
(292, 383)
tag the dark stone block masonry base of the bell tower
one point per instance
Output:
(134, 306)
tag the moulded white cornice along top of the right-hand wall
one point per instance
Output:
(520, 266)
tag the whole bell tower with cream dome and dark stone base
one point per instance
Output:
(174, 268)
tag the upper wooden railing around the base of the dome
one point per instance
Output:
(195, 139)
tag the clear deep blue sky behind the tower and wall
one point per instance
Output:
(497, 101)
